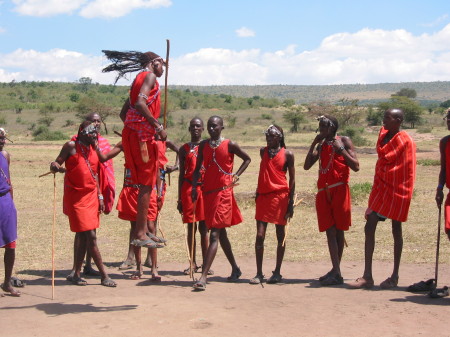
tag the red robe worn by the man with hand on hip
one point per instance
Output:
(222, 210)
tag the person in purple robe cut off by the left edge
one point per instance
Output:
(8, 218)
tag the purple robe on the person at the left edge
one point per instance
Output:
(8, 214)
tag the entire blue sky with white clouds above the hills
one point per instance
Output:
(230, 42)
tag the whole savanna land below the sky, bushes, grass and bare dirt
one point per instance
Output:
(41, 116)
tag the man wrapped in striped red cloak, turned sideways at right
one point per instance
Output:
(391, 194)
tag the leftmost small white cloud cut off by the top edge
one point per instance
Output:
(47, 7)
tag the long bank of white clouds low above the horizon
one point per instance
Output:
(366, 56)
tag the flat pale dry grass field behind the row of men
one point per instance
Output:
(34, 201)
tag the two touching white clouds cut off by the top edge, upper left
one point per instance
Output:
(85, 8)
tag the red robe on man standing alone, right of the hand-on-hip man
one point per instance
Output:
(273, 189)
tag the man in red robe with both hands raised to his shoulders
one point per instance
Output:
(336, 156)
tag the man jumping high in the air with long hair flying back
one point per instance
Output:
(139, 113)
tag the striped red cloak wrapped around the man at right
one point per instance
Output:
(395, 173)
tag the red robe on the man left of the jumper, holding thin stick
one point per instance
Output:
(80, 201)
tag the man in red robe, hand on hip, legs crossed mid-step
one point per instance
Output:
(216, 155)
